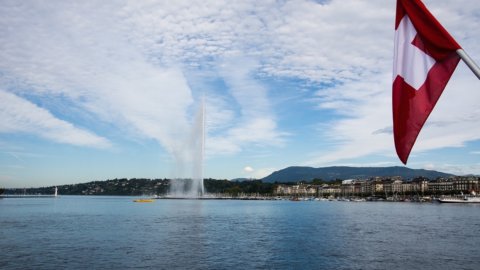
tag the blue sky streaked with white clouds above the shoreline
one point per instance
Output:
(96, 90)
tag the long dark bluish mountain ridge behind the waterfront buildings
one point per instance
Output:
(296, 173)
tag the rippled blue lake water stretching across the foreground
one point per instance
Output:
(74, 232)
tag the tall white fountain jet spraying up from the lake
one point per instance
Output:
(189, 160)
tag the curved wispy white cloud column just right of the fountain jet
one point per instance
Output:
(255, 122)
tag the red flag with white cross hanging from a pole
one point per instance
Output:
(425, 58)
